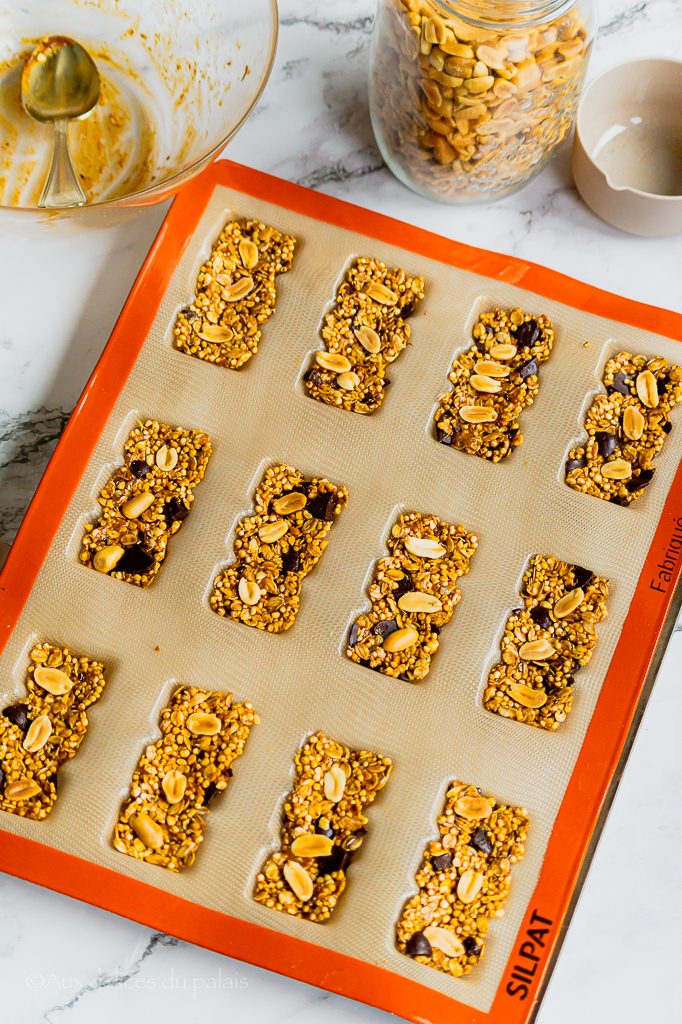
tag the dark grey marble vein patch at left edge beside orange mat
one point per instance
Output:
(27, 443)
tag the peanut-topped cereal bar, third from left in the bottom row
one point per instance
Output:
(323, 830)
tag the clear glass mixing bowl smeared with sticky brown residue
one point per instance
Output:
(180, 77)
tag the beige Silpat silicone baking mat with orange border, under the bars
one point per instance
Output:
(302, 681)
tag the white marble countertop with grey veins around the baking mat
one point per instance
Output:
(64, 962)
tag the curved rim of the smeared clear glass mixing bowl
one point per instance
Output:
(164, 190)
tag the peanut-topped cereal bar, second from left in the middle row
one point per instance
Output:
(276, 548)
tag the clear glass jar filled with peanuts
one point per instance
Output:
(471, 99)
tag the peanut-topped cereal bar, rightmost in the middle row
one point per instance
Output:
(547, 643)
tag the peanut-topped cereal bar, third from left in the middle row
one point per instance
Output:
(414, 594)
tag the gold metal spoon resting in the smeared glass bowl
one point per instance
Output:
(60, 83)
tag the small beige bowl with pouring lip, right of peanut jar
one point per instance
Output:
(627, 158)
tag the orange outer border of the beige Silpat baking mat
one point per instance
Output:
(605, 740)
